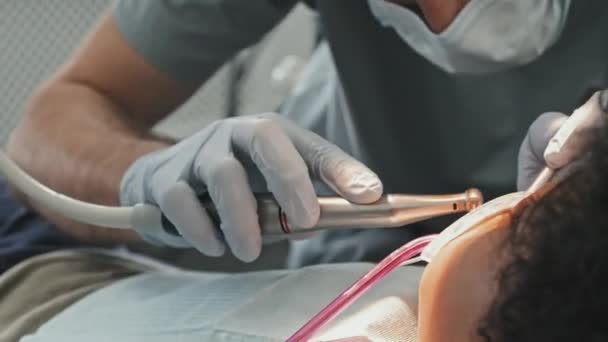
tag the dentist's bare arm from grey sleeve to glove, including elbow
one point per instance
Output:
(85, 127)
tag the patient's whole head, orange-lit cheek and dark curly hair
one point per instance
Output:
(537, 275)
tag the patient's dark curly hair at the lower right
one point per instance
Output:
(554, 286)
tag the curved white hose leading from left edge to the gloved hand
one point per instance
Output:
(94, 214)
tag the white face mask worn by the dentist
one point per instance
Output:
(486, 36)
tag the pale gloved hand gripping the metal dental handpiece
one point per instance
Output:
(229, 160)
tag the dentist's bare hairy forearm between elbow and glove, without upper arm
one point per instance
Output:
(78, 142)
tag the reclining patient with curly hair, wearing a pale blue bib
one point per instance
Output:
(542, 279)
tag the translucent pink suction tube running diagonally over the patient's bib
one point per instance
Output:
(387, 265)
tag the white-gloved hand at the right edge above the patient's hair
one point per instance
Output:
(555, 140)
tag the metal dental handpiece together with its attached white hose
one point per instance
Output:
(392, 210)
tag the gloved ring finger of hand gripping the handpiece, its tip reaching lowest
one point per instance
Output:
(236, 206)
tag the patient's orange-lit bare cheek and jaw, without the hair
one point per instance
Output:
(458, 286)
